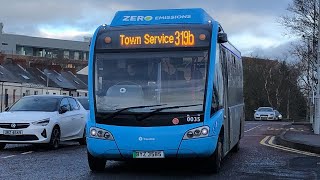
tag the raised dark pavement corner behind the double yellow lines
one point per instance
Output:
(299, 136)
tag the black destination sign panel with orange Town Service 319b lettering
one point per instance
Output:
(125, 38)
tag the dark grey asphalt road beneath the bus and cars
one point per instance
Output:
(258, 158)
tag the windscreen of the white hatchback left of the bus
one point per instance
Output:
(45, 104)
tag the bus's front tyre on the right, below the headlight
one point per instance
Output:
(214, 161)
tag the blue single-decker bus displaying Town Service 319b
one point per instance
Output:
(164, 84)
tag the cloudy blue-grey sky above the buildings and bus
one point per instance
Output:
(252, 25)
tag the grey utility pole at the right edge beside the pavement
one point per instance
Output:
(316, 125)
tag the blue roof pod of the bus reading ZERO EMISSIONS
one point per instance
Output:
(162, 16)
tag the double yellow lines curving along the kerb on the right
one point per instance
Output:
(270, 143)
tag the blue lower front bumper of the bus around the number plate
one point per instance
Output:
(192, 148)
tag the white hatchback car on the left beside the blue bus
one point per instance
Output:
(43, 119)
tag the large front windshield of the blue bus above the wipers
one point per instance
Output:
(175, 78)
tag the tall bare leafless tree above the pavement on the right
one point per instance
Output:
(302, 21)
